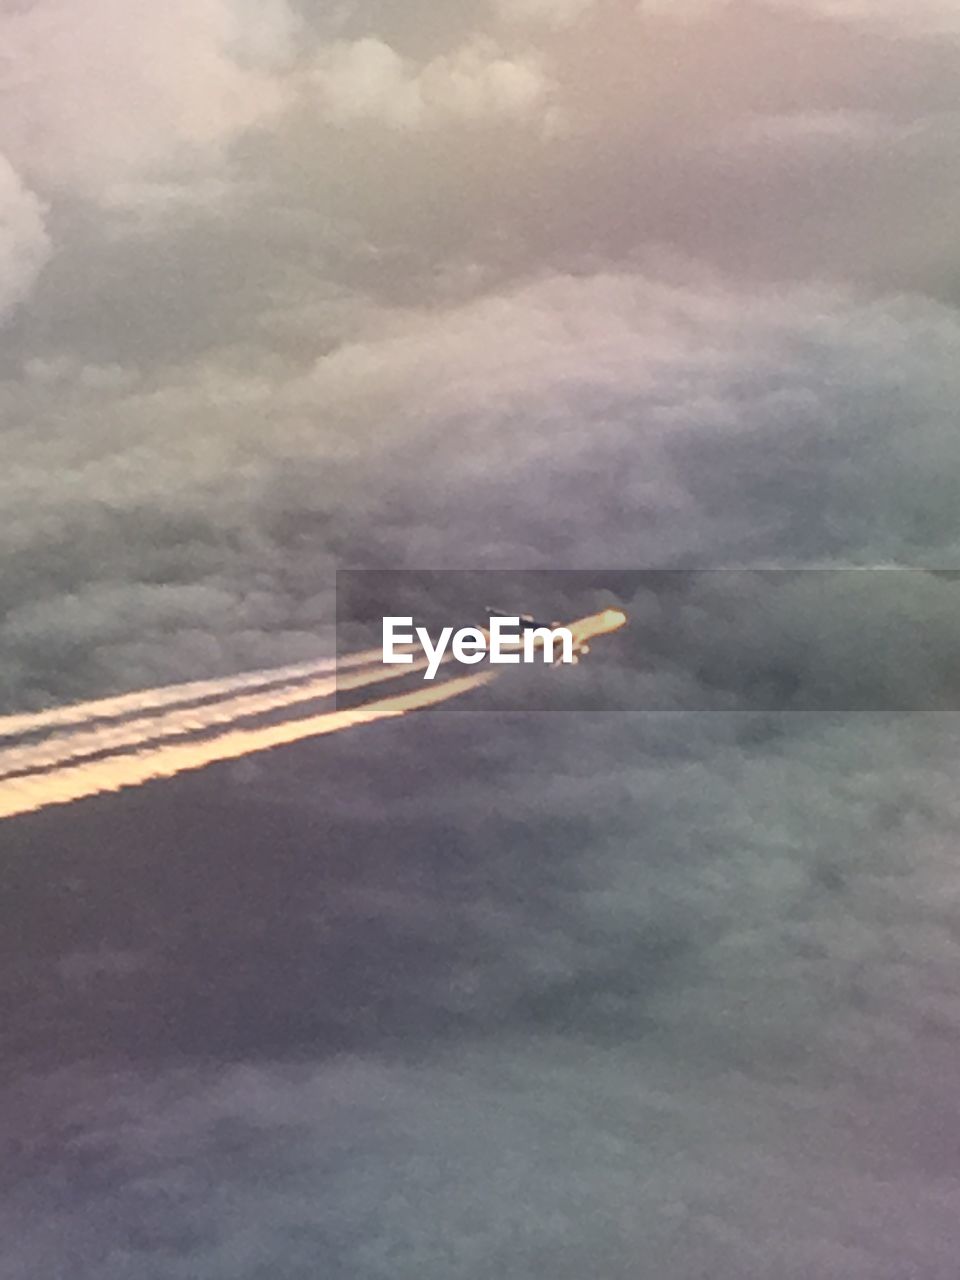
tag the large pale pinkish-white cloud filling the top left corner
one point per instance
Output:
(93, 95)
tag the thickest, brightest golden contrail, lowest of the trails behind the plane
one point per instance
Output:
(36, 792)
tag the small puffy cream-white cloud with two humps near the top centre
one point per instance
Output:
(367, 80)
